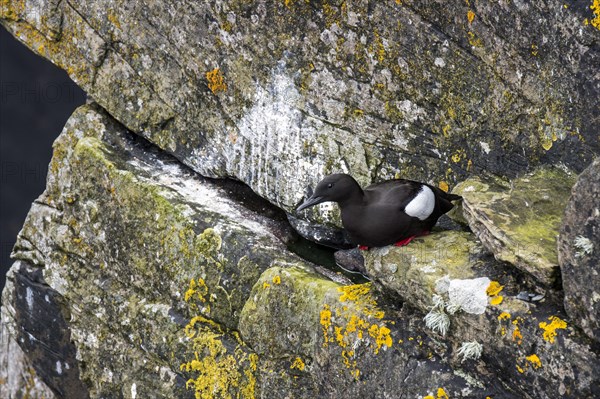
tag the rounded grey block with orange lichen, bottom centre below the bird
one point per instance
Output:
(341, 342)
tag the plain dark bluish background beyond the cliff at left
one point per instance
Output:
(36, 99)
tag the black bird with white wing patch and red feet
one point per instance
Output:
(389, 212)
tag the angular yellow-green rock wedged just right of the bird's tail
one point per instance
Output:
(518, 220)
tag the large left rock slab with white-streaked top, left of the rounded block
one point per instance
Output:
(123, 248)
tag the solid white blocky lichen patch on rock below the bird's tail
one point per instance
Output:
(469, 295)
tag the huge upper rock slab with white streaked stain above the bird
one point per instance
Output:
(279, 93)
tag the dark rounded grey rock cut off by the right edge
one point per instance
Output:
(579, 252)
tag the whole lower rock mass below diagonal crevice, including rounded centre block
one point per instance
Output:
(155, 283)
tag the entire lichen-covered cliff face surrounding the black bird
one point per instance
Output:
(135, 276)
